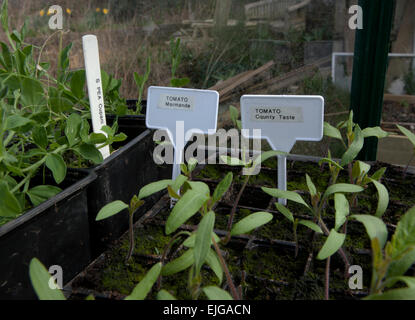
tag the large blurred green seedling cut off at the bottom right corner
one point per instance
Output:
(392, 259)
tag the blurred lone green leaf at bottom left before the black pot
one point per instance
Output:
(40, 278)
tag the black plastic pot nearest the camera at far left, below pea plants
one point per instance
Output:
(56, 232)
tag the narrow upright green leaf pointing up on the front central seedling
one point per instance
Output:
(203, 239)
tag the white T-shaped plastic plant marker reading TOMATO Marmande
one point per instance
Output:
(182, 113)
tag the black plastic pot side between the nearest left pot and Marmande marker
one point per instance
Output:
(120, 177)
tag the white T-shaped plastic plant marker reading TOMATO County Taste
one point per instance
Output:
(283, 120)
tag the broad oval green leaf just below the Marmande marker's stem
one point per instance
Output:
(185, 208)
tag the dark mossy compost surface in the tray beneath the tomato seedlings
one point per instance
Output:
(262, 263)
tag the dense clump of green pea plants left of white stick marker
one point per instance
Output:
(43, 124)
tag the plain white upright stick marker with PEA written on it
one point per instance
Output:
(95, 91)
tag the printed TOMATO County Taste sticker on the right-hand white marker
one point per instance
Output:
(277, 114)
